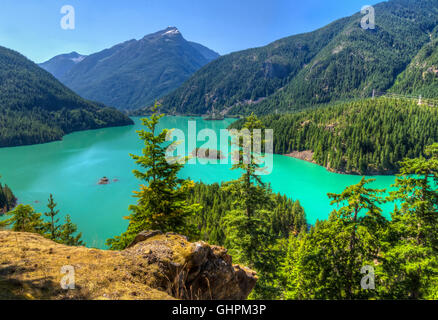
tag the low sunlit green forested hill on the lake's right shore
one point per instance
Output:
(365, 137)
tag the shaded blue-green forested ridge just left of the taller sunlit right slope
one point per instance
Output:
(249, 75)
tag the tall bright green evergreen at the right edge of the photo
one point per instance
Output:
(410, 270)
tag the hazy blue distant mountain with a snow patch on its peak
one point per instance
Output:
(135, 73)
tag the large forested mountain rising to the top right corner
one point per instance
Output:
(337, 62)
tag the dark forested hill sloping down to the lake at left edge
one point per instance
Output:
(37, 108)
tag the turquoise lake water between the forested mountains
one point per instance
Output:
(70, 170)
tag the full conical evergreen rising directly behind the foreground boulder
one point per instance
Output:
(162, 202)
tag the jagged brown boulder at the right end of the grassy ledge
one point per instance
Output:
(198, 271)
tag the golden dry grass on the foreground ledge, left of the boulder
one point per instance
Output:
(30, 268)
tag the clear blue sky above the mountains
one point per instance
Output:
(32, 27)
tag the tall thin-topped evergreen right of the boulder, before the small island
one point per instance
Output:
(247, 231)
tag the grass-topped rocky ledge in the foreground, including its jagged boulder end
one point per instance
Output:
(155, 266)
